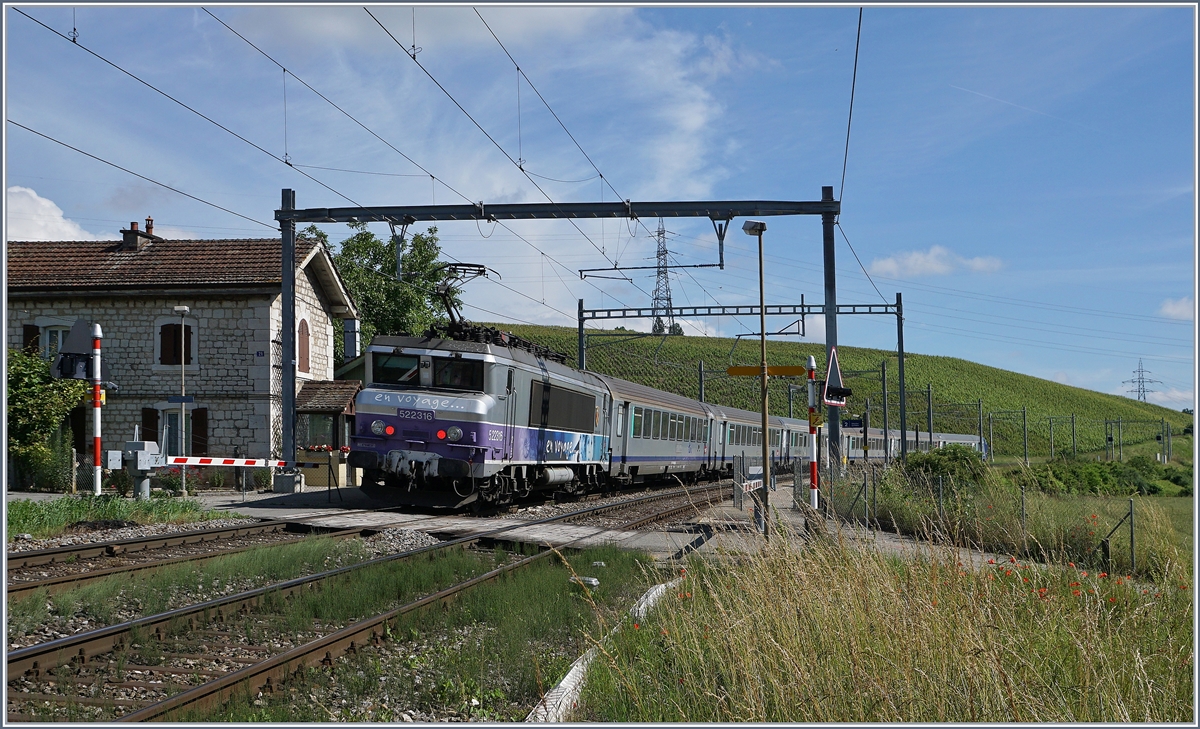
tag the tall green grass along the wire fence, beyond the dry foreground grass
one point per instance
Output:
(1057, 528)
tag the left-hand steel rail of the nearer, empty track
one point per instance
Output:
(82, 647)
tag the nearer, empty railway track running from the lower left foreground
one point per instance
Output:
(213, 649)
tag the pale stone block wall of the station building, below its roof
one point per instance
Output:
(232, 375)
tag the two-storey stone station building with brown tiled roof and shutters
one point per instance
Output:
(232, 358)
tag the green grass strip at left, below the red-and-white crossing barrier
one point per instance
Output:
(55, 516)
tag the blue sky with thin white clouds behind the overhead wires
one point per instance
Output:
(1024, 176)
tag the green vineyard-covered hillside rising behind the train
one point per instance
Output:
(673, 364)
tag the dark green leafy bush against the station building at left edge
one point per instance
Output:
(38, 406)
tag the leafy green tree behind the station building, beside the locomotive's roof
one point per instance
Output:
(368, 267)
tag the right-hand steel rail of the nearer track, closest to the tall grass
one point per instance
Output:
(346, 641)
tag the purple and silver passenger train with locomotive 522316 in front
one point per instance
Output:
(476, 418)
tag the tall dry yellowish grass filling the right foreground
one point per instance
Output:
(839, 634)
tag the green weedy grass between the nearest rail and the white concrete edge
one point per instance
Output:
(501, 644)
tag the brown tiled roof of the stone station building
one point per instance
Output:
(79, 266)
